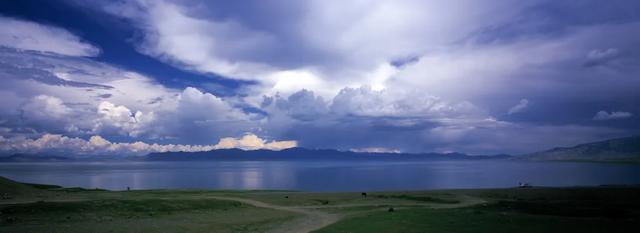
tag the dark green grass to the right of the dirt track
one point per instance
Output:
(512, 210)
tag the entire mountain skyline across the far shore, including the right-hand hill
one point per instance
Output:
(613, 150)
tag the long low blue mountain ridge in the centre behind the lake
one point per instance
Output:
(306, 154)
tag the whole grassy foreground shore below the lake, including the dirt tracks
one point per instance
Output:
(49, 208)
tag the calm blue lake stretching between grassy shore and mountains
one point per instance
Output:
(323, 176)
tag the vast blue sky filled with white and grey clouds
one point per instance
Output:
(130, 77)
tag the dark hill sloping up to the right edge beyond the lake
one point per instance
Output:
(614, 150)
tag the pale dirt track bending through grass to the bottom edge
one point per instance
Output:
(312, 220)
